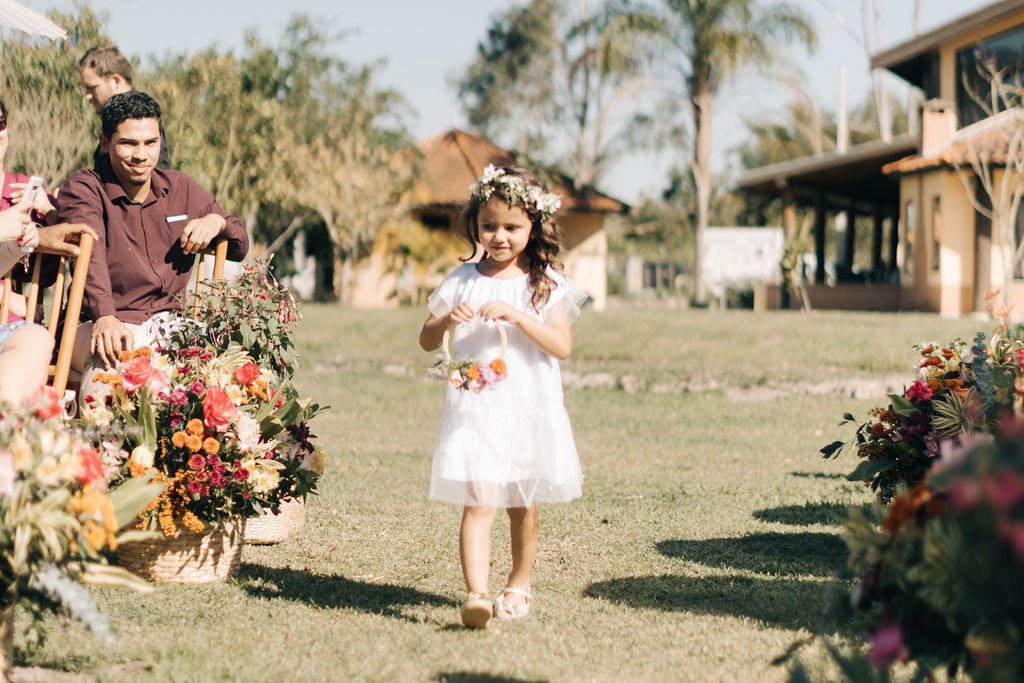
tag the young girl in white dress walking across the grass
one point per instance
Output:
(505, 444)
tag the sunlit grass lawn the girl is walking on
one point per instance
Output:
(702, 549)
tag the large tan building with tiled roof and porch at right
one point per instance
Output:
(938, 252)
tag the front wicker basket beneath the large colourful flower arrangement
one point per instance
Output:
(188, 559)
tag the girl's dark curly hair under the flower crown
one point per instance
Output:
(545, 238)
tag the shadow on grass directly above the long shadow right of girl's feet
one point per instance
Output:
(778, 554)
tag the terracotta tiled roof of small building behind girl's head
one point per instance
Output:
(453, 161)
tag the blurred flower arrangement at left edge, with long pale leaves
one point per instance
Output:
(57, 518)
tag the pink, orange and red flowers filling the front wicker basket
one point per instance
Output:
(225, 437)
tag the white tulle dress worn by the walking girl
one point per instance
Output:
(513, 445)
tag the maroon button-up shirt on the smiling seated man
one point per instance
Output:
(139, 268)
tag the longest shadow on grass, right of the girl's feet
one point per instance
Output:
(786, 603)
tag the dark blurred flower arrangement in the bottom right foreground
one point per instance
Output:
(944, 570)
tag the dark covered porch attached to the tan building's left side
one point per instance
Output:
(845, 196)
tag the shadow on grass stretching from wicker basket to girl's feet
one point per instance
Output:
(335, 591)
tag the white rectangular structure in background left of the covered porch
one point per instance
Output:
(742, 257)
